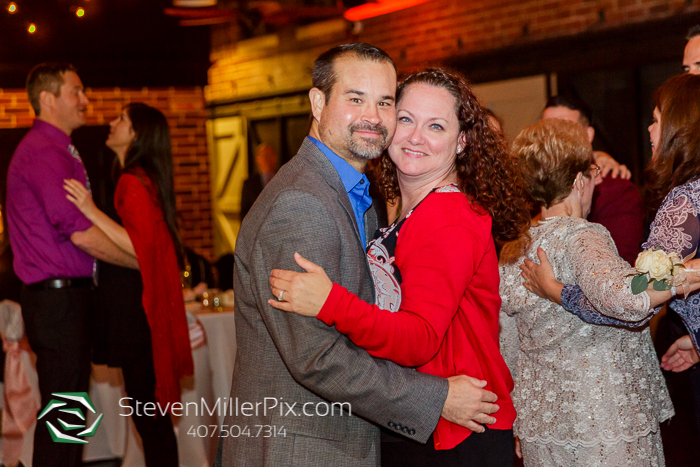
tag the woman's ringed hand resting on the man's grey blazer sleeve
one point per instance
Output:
(298, 292)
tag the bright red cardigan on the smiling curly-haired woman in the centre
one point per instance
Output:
(448, 321)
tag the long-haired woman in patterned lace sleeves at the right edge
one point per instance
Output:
(674, 181)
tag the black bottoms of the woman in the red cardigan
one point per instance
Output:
(493, 448)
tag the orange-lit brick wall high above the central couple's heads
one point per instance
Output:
(429, 32)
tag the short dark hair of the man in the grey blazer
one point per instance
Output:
(323, 75)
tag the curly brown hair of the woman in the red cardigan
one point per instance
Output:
(486, 173)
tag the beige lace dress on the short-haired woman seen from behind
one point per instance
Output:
(586, 395)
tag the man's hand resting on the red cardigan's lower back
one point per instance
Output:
(468, 405)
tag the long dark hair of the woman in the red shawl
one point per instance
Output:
(150, 150)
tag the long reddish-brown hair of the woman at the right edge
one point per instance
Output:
(677, 159)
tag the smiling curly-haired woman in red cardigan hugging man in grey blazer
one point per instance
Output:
(435, 268)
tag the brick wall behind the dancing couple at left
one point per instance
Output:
(184, 109)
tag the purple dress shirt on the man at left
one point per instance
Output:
(40, 218)
